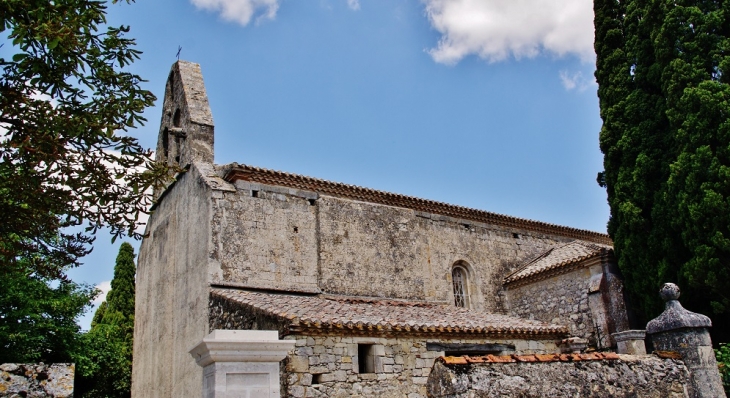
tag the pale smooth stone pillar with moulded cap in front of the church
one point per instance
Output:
(241, 363)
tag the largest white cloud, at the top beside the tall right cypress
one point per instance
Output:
(497, 29)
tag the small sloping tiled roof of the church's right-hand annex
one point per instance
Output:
(559, 258)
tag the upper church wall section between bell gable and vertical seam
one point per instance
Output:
(266, 238)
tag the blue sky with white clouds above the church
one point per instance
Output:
(485, 104)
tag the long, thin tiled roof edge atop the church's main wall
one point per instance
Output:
(271, 177)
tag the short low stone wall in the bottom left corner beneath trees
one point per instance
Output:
(37, 380)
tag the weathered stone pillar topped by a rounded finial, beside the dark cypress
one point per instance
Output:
(685, 332)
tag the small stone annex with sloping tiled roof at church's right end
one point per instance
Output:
(574, 284)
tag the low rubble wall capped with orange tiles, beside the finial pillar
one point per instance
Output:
(645, 376)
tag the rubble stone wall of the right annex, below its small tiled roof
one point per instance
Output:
(561, 299)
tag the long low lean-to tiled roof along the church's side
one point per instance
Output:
(341, 315)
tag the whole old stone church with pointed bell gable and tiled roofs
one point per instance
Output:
(370, 286)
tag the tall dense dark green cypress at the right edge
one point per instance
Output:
(663, 70)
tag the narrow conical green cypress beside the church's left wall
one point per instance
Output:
(108, 345)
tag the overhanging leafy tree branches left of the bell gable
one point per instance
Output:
(66, 104)
